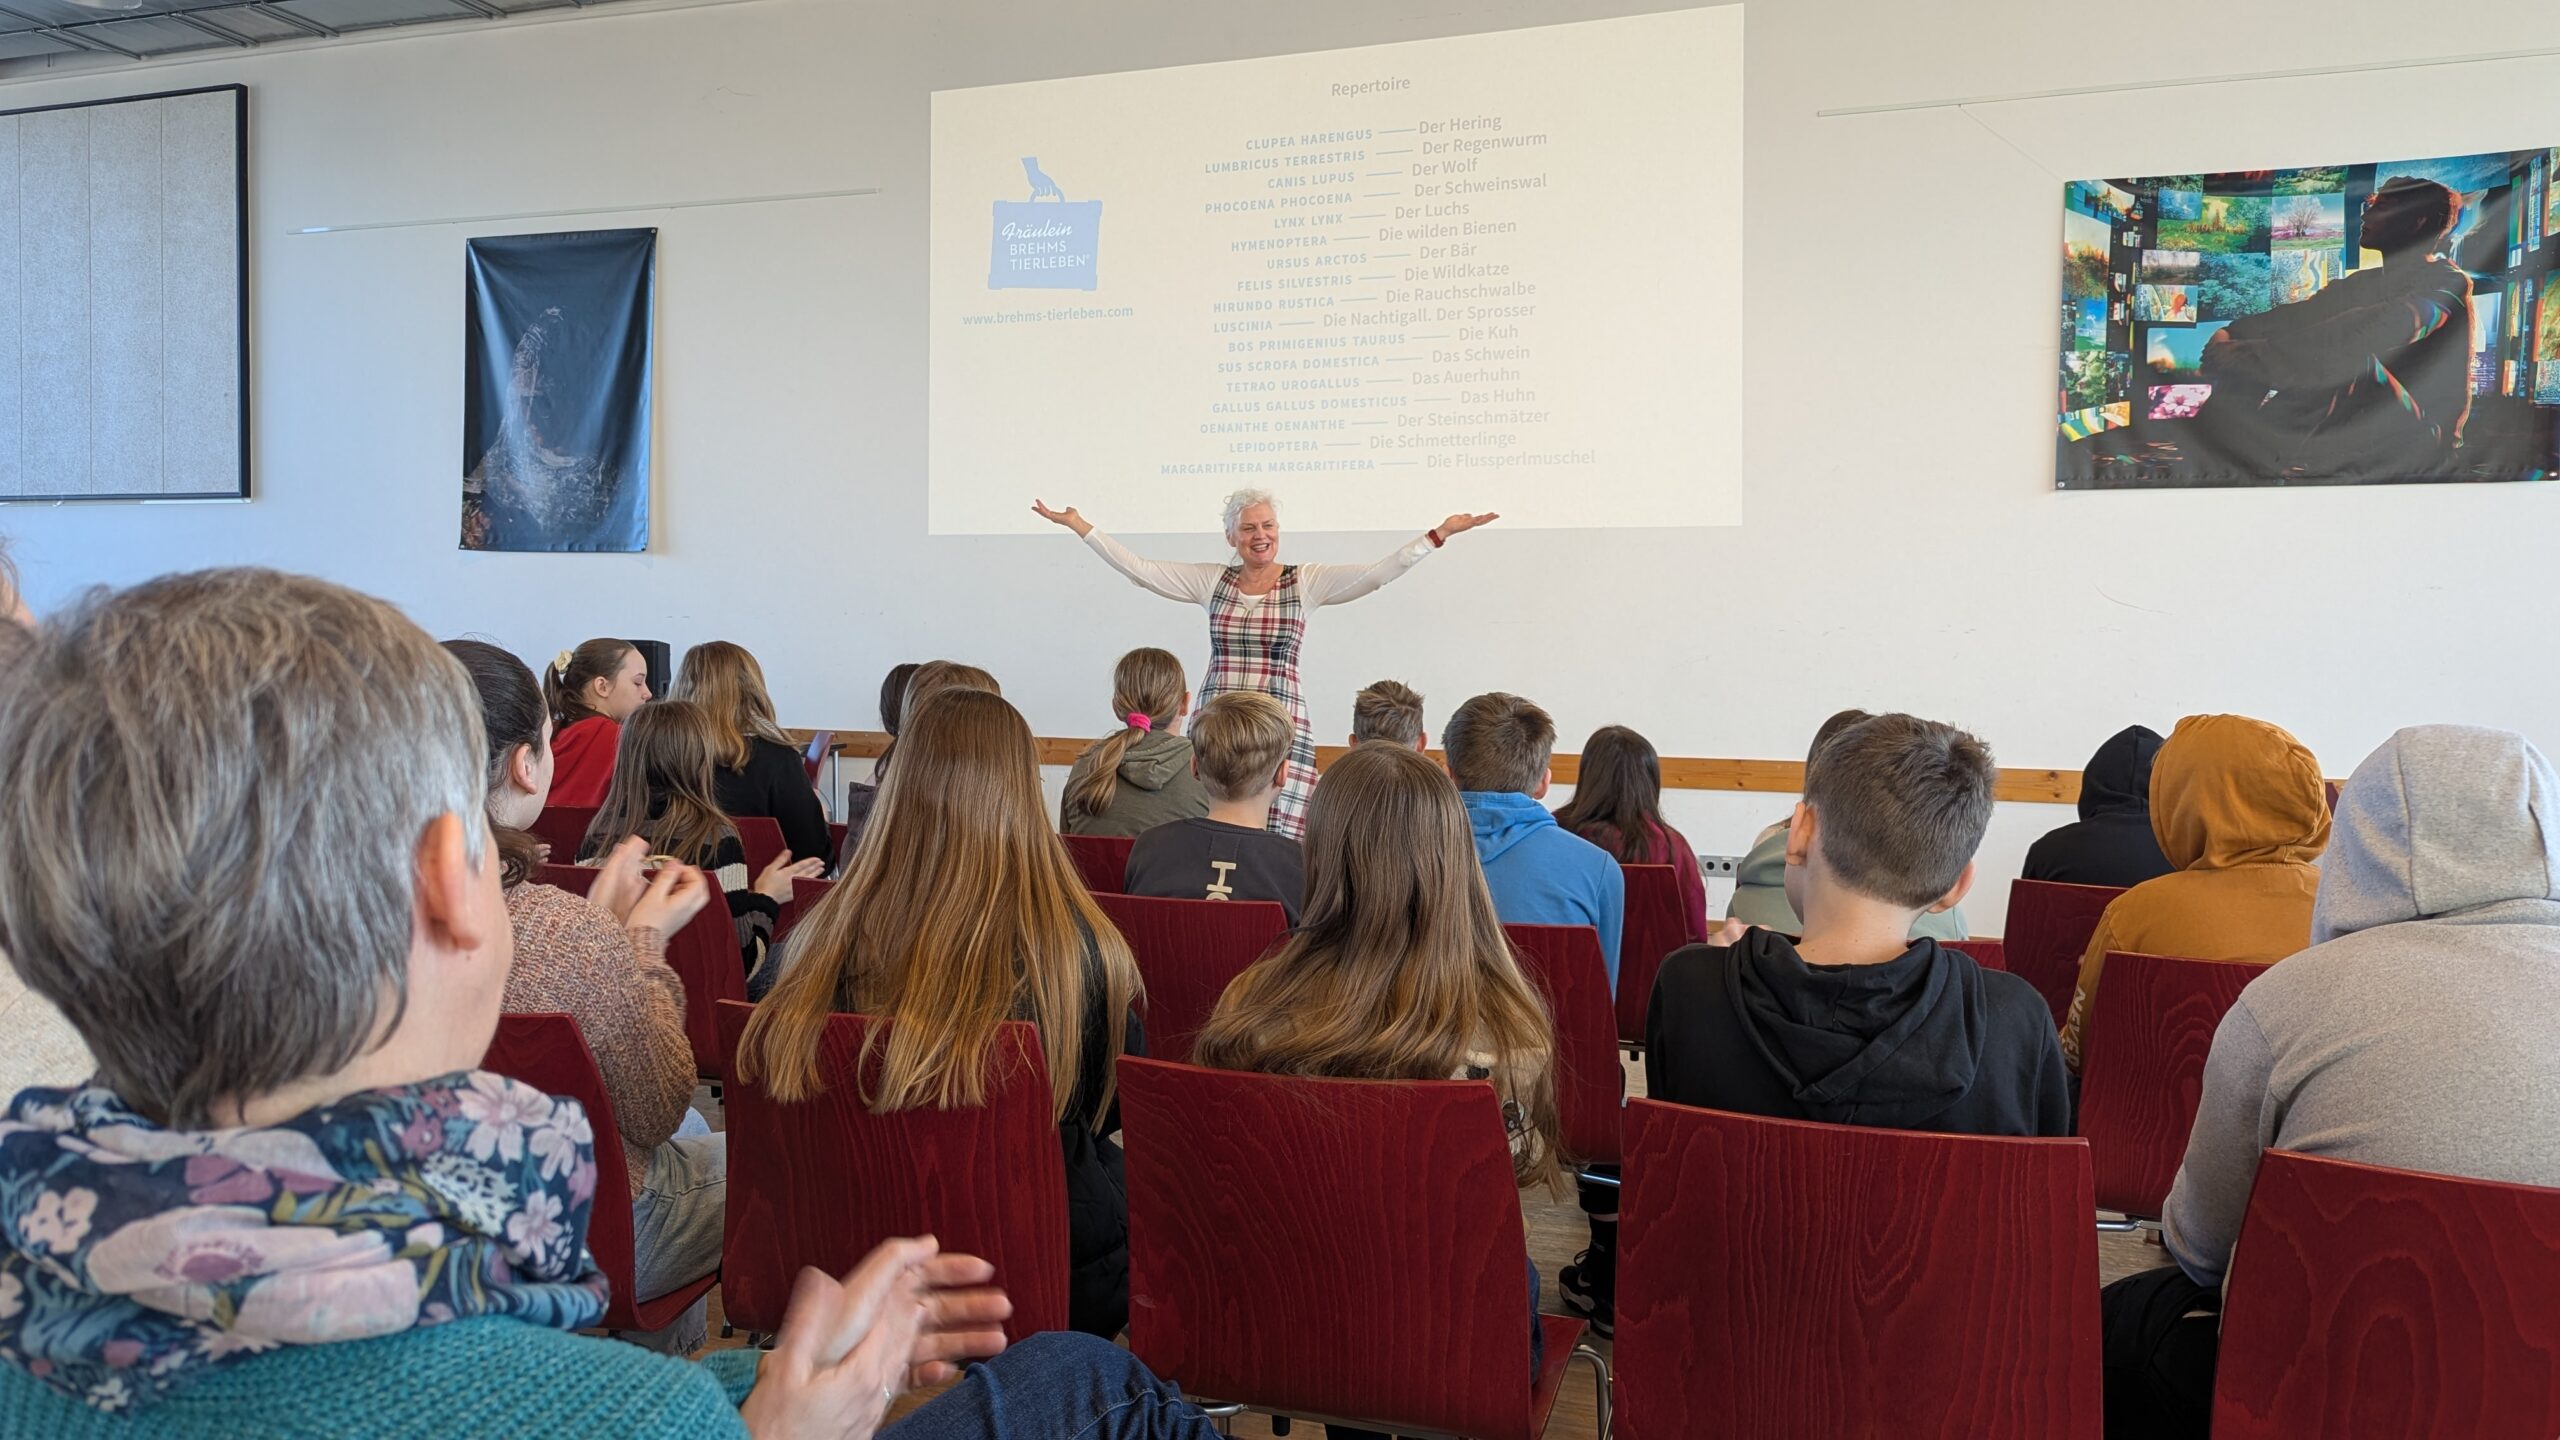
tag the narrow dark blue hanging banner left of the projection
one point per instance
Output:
(557, 391)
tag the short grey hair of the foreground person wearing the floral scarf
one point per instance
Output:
(211, 814)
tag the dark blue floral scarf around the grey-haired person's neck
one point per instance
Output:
(134, 1259)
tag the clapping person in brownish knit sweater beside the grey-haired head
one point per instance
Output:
(603, 962)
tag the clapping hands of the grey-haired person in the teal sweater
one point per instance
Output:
(846, 1349)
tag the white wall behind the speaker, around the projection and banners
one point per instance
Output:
(1903, 544)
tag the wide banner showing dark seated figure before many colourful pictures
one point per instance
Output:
(2349, 324)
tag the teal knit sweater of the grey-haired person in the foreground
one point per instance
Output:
(472, 1380)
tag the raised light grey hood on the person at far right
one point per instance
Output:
(2444, 824)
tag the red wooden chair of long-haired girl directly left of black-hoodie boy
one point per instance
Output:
(1335, 1252)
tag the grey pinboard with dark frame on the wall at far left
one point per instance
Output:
(124, 299)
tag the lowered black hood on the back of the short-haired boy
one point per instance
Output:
(1888, 1044)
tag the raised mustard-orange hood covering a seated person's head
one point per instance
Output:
(2228, 790)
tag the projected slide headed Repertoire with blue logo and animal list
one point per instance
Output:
(1484, 273)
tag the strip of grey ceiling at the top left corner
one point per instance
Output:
(60, 35)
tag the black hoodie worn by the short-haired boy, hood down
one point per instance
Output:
(1926, 1042)
